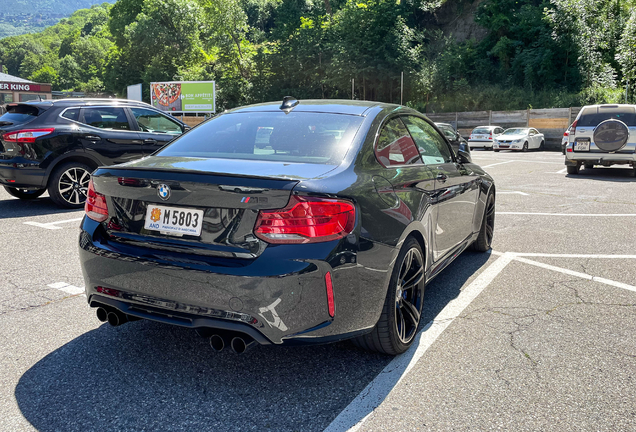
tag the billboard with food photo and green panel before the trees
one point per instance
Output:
(183, 96)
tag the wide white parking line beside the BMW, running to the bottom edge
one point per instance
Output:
(359, 410)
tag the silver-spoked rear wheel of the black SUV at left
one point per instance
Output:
(69, 184)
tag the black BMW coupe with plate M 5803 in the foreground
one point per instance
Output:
(330, 231)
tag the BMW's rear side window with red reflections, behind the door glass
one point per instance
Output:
(395, 146)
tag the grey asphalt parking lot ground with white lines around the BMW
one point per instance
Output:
(540, 334)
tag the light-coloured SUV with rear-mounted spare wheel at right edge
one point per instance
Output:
(602, 135)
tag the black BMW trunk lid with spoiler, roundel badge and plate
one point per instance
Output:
(229, 197)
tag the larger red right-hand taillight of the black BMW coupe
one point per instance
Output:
(306, 220)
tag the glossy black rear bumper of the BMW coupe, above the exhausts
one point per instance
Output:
(279, 297)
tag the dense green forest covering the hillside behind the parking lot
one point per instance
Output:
(527, 53)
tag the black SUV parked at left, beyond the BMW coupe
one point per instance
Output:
(55, 145)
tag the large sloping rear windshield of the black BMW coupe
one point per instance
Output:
(270, 136)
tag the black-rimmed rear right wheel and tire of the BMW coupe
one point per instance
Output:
(401, 304)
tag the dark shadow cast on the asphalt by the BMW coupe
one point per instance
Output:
(151, 376)
